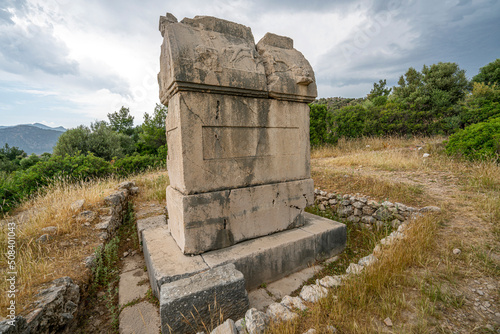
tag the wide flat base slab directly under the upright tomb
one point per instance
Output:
(261, 260)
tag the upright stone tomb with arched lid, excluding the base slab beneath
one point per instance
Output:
(237, 132)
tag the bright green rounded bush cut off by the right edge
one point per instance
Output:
(477, 141)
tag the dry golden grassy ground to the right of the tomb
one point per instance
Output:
(418, 283)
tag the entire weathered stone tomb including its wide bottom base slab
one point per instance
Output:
(238, 158)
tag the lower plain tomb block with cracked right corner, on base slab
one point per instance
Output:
(215, 220)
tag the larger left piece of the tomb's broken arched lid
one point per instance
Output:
(209, 54)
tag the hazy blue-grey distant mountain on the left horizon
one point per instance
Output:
(31, 138)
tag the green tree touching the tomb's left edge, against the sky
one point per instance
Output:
(153, 135)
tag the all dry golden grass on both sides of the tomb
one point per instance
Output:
(420, 284)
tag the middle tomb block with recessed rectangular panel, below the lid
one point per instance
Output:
(221, 142)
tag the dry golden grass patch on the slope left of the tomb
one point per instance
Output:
(62, 255)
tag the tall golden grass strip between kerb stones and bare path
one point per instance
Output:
(363, 302)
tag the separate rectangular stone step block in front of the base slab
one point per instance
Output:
(198, 298)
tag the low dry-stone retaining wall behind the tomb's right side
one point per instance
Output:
(366, 212)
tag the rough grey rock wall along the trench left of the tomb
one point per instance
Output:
(56, 307)
